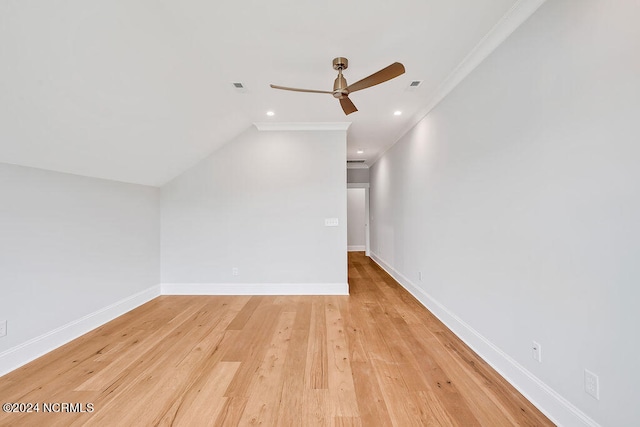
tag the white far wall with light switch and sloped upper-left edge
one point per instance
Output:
(258, 205)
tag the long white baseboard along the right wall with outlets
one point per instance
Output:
(548, 401)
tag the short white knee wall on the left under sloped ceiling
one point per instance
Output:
(70, 247)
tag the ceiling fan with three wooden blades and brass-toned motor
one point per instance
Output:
(342, 91)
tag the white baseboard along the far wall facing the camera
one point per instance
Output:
(255, 289)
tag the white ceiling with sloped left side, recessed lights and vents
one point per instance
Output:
(138, 91)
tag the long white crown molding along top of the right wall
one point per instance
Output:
(519, 13)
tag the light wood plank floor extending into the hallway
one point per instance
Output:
(375, 358)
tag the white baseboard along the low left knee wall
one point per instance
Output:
(24, 353)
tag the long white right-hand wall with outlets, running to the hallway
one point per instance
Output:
(518, 199)
